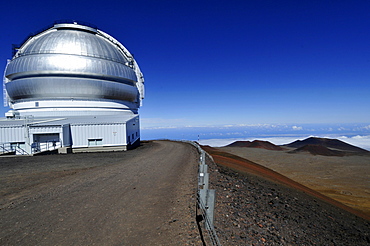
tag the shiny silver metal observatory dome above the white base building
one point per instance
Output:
(73, 69)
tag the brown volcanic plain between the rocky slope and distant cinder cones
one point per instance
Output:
(340, 175)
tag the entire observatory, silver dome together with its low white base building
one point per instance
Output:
(71, 88)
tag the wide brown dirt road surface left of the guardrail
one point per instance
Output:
(144, 196)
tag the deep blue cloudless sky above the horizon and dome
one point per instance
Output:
(228, 62)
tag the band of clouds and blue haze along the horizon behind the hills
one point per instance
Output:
(356, 134)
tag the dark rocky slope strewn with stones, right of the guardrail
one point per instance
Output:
(252, 210)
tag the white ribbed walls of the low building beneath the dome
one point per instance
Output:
(76, 135)
